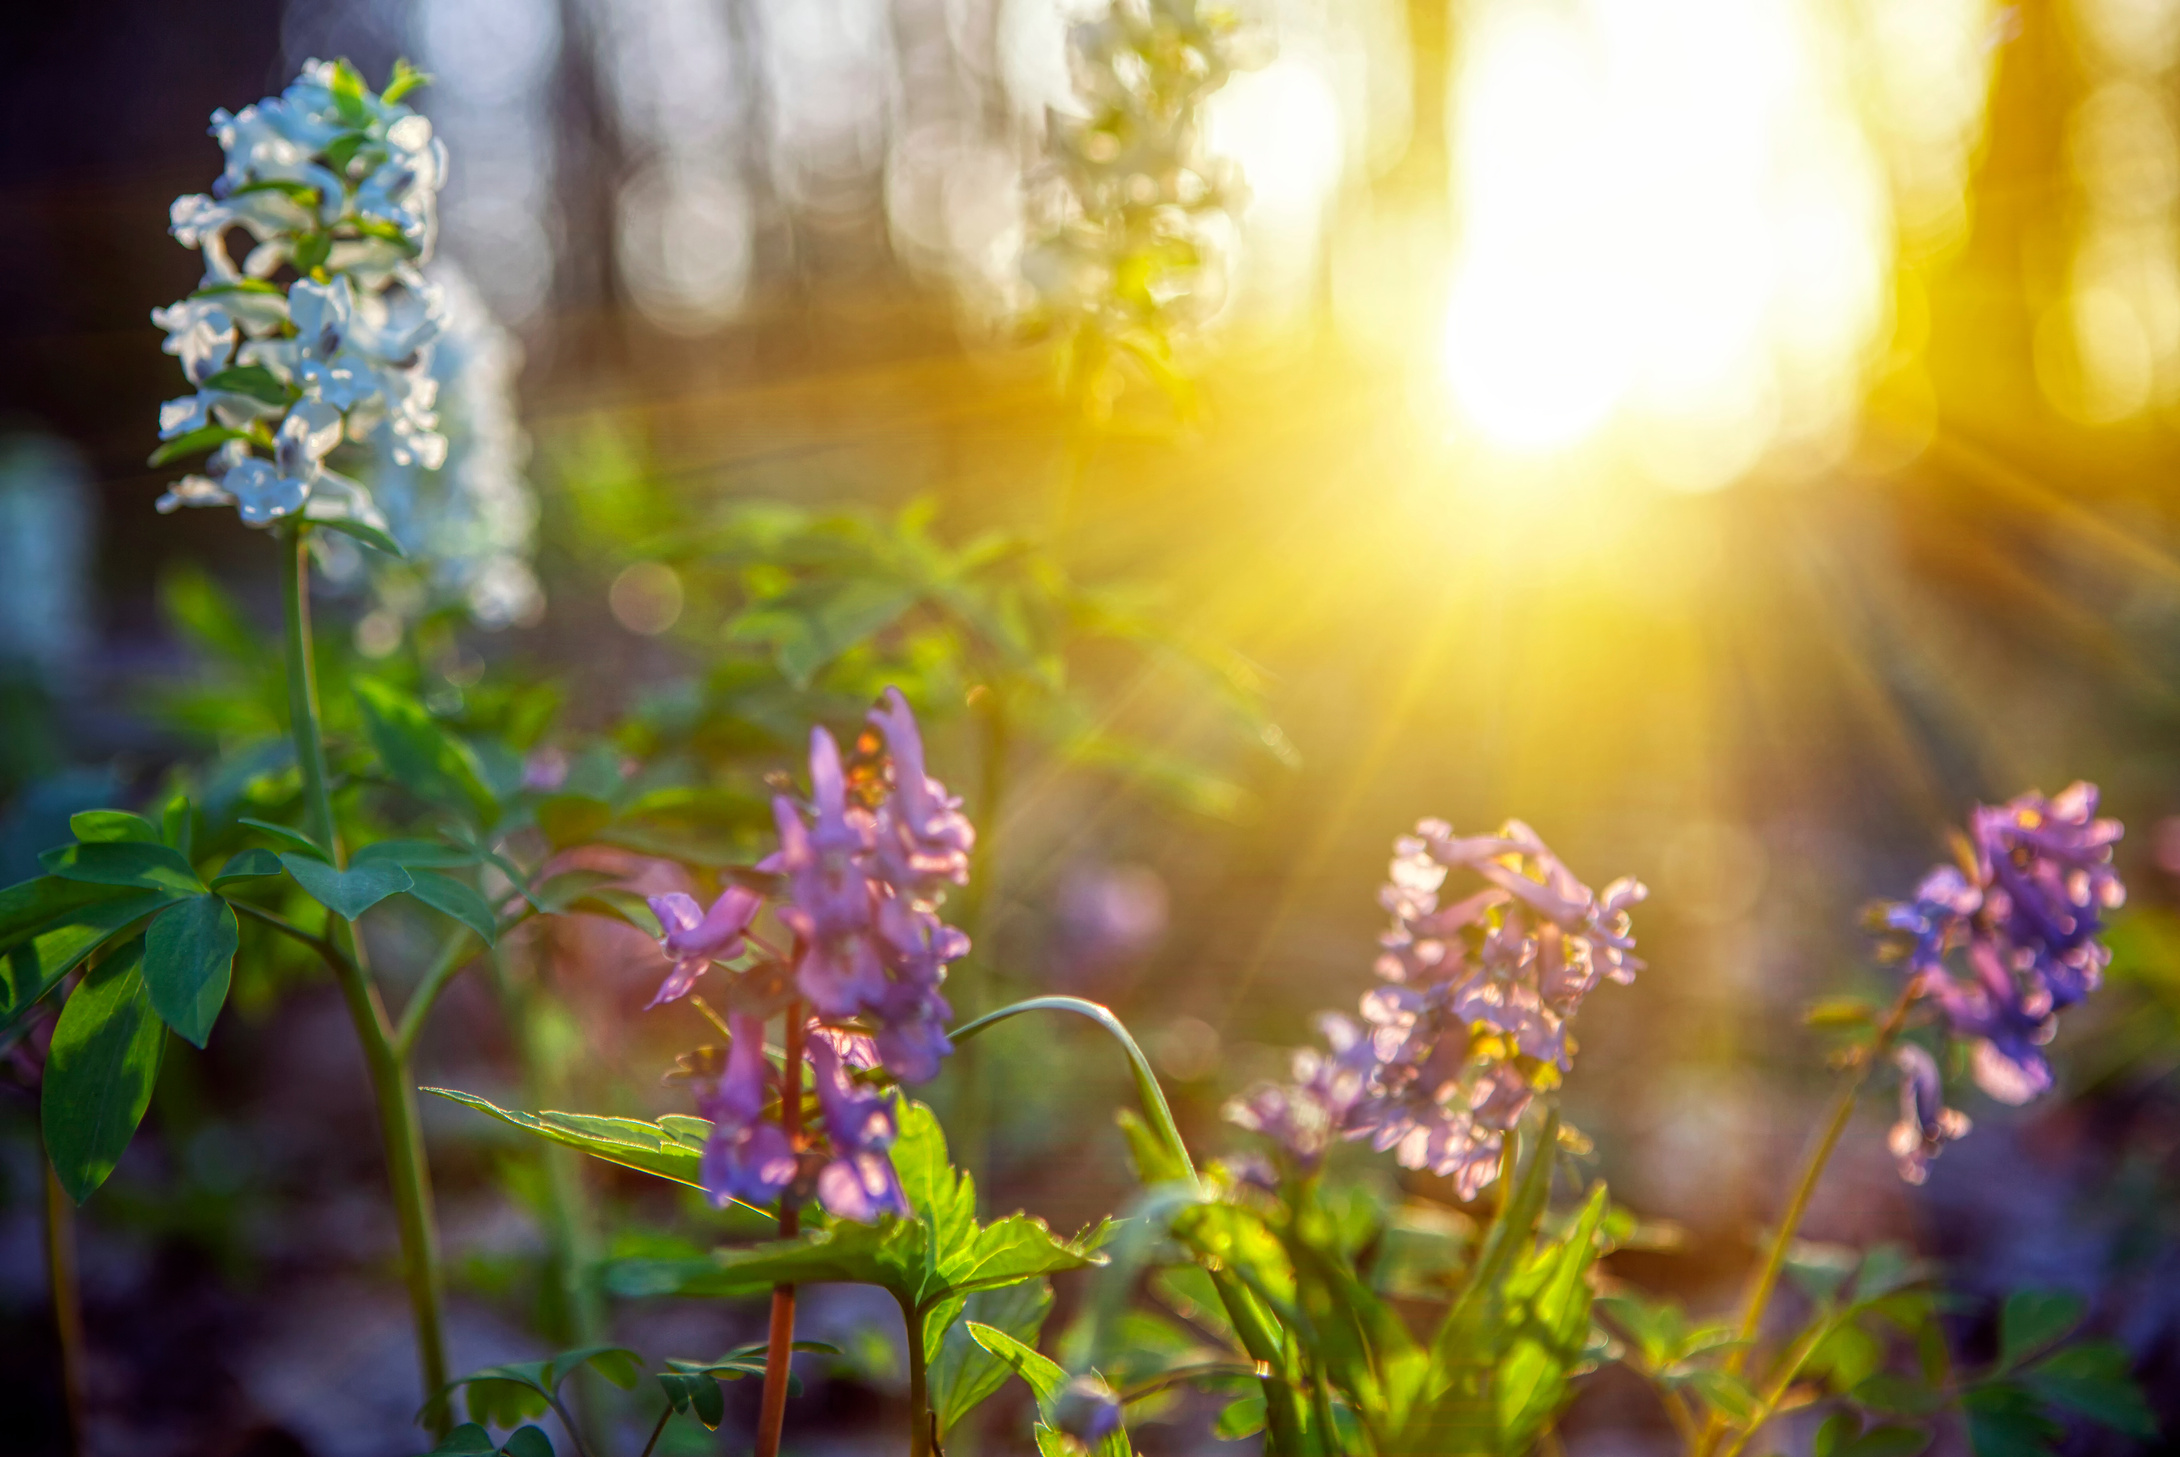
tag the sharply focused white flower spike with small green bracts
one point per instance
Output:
(339, 186)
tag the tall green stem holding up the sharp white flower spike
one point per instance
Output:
(400, 1127)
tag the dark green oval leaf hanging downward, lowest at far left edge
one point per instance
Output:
(99, 1076)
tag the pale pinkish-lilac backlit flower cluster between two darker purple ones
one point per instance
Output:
(1473, 1022)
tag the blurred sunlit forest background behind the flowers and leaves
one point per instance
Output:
(1732, 435)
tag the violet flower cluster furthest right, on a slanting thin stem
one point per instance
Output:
(2002, 946)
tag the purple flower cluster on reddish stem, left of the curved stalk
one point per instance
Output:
(867, 867)
